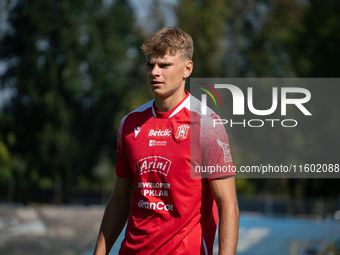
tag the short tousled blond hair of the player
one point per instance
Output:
(172, 40)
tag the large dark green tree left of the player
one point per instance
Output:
(72, 62)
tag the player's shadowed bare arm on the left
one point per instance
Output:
(115, 215)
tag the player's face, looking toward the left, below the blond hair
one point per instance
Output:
(166, 73)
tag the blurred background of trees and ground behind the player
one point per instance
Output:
(70, 70)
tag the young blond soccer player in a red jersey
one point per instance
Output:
(167, 211)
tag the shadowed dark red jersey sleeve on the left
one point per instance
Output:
(123, 168)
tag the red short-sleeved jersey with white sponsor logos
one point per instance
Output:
(171, 212)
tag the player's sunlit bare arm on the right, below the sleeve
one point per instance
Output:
(225, 195)
